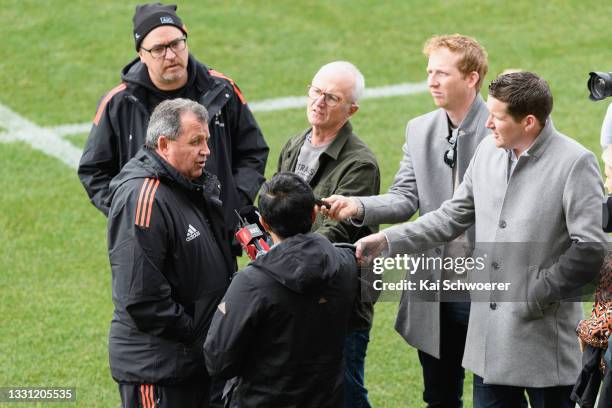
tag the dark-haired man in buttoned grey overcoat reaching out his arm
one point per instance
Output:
(526, 183)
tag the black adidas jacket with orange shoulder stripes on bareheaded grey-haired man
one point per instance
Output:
(171, 266)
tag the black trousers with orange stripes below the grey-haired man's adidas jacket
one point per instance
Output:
(194, 394)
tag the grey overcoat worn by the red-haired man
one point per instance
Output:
(423, 183)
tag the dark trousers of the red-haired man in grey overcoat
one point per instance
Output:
(443, 377)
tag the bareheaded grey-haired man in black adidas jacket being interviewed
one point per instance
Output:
(170, 260)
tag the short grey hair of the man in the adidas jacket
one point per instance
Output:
(166, 119)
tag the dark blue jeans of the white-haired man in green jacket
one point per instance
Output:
(355, 347)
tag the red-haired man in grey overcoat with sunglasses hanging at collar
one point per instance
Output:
(437, 151)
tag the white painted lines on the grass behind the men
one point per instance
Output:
(49, 140)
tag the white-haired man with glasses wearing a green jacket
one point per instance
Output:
(333, 160)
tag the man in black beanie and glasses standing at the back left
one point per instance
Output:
(164, 70)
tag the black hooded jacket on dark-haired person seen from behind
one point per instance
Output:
(281, 326)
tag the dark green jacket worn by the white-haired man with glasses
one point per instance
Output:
(347, 167)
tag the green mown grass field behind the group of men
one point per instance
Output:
(60, 56)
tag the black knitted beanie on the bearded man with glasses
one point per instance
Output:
(152, 15)
